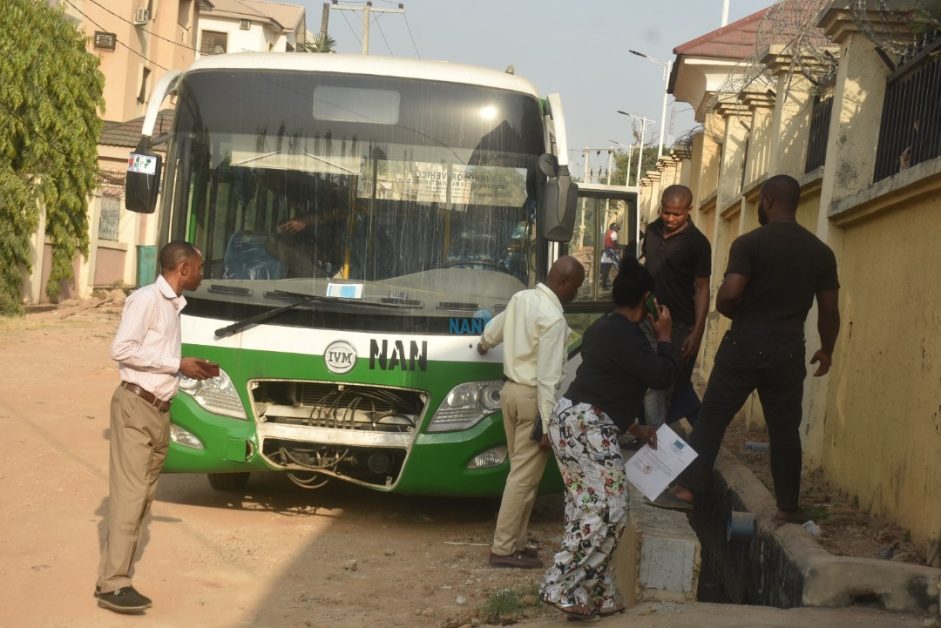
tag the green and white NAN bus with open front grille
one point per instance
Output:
(361, 219)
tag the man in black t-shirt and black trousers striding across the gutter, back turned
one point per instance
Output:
(774, 274)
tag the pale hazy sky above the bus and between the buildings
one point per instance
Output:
(577, 48)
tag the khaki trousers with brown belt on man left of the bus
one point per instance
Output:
(139, 438)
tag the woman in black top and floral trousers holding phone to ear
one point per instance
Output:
(618, 365)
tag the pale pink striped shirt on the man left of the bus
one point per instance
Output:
(147, 344)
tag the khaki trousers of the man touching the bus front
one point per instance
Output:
(527, 463)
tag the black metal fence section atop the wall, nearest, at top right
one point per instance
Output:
(911, 116)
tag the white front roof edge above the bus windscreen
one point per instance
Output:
(360, 64)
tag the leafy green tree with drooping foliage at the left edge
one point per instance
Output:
(49, 127)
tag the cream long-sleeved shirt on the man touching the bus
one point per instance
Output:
(535, 335)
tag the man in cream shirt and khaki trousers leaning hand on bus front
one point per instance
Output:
(534, 335)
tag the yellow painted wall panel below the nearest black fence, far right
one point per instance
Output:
(883, 424)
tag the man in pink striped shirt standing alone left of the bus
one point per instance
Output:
(147, 349)
